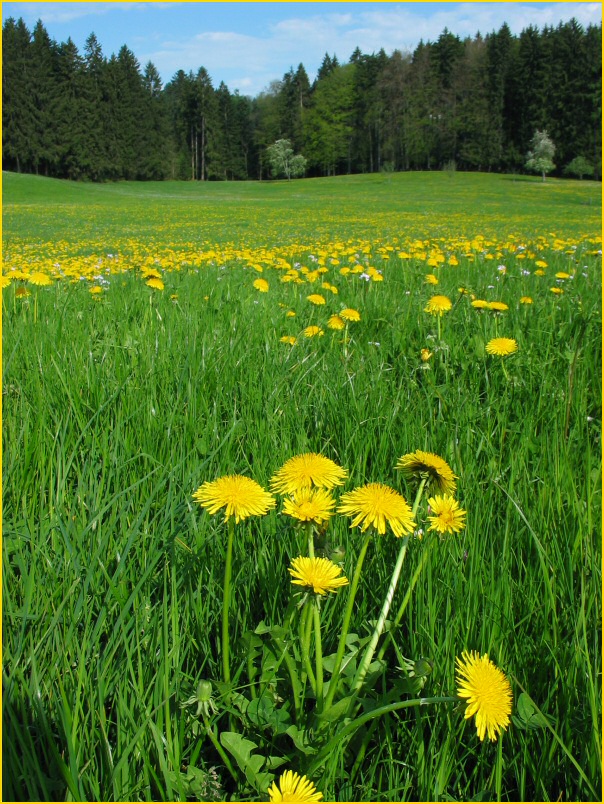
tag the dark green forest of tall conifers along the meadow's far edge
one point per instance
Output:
(473, 104)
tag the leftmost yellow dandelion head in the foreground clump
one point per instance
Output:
(239, 496)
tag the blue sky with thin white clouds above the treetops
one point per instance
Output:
(248, 45)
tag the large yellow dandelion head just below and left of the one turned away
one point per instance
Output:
(377, 505)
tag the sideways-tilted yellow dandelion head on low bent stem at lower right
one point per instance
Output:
(488, 692)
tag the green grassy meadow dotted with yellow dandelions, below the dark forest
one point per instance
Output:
(159, 336)
